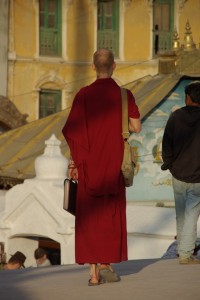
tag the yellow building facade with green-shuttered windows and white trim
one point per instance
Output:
(51, 43)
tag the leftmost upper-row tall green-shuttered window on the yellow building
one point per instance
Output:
(50, 27)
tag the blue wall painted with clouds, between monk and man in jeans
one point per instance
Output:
(150, 182)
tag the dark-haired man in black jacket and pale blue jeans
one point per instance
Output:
(181, 155)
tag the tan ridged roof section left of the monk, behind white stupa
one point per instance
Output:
(19, 147)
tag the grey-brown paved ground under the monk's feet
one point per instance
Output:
(141, 280)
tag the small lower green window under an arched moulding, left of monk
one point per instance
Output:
(49, 102)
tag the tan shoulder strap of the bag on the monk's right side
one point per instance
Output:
(125, 131)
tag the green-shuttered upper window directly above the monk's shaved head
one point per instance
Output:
(108, 25)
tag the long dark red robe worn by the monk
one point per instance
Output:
(93, 132)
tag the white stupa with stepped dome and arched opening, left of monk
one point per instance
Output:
(34, 209)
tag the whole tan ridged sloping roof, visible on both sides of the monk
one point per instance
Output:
(19, 147)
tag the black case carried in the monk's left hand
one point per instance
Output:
(70, 190)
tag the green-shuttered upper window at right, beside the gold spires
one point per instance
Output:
(163, 25)
